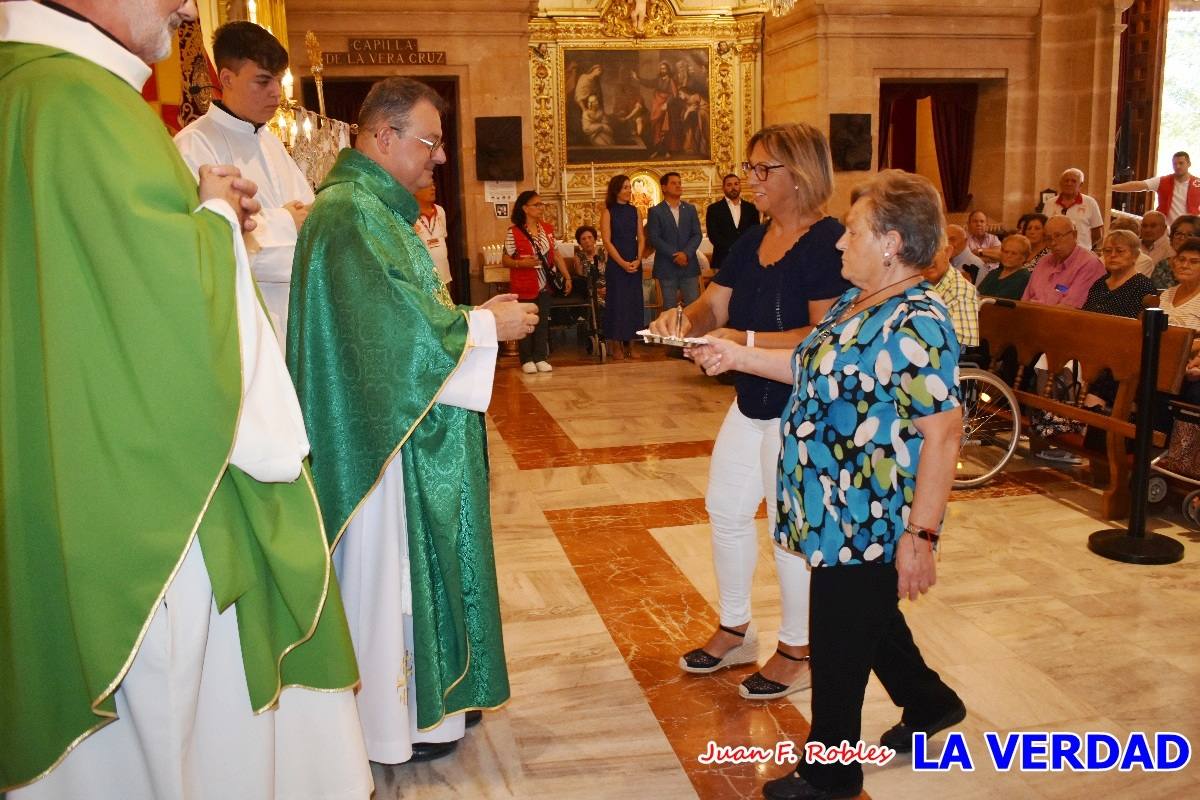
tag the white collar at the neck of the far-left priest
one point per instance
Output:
(23, 21)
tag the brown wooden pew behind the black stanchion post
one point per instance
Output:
(1095, 341)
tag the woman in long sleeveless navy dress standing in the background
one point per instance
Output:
(622, 234)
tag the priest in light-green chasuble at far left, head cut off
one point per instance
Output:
(167, 603)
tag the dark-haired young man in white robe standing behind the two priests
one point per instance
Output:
(251, 63)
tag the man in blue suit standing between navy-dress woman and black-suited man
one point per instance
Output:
(674, 228)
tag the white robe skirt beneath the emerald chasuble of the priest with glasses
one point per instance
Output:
(373, 569)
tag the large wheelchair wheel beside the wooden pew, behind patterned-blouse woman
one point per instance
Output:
(992, 429)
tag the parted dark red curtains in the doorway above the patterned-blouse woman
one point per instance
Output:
(955, 111)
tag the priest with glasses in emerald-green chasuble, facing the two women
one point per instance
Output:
(393, 380)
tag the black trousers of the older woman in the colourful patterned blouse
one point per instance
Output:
(856, 628)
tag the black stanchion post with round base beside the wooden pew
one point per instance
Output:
(1136, 546)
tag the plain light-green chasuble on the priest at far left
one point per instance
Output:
(122, 394)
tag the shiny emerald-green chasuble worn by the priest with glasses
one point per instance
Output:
(373, 338)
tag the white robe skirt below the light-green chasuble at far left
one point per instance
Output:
(187, 730)
